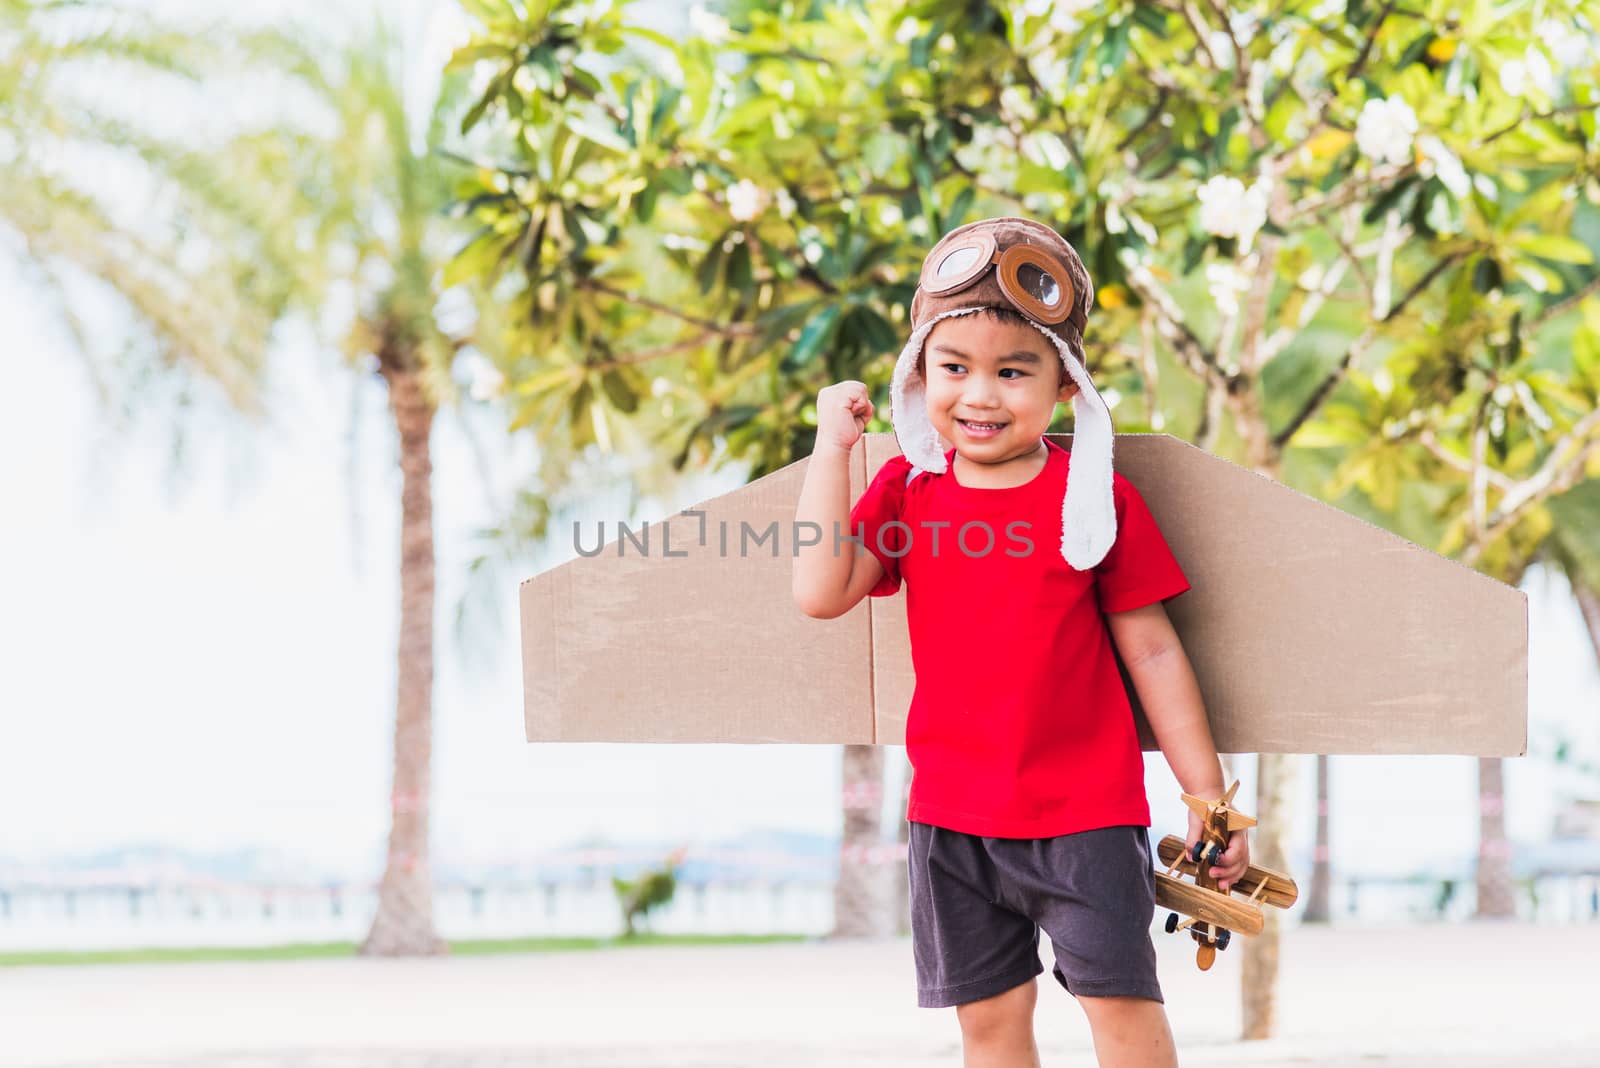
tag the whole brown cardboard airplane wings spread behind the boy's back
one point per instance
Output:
(1310, 631)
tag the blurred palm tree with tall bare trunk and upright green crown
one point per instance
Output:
(385, 196)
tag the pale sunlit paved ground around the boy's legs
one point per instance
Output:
(1474, 997)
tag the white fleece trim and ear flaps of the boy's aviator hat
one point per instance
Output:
(1089, 512)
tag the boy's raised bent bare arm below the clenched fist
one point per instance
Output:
(830, 584)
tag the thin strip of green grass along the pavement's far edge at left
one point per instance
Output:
(321, 950)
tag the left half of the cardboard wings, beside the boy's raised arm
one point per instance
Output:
(639, 647)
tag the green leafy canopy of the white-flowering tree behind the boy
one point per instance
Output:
(767, 204)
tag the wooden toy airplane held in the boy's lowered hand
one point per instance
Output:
(1215, 914)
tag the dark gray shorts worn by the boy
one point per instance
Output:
(978, 906)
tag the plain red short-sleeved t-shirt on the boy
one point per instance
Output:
(1020, 725)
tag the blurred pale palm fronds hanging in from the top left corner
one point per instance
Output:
(202, 266)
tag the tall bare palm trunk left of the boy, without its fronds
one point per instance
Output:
(404, 925)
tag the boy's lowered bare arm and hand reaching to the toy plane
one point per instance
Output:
(1170, 695)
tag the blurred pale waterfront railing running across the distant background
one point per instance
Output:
(110, 915)
